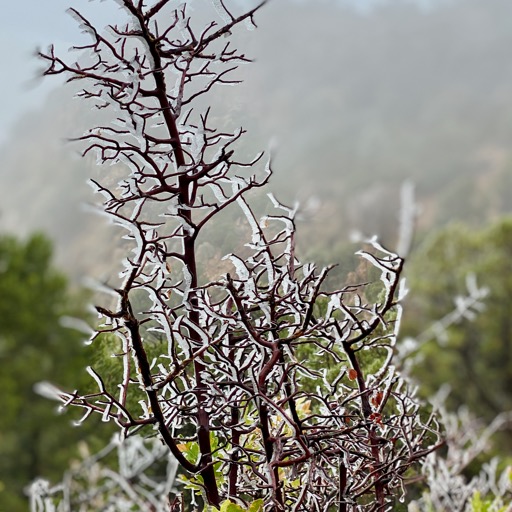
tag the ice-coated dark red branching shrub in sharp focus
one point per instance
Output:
(213, 362)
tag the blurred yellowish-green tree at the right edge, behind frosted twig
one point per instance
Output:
(474, 354)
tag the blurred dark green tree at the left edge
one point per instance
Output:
(33, 346)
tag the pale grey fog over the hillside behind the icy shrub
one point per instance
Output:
(355, 101)
